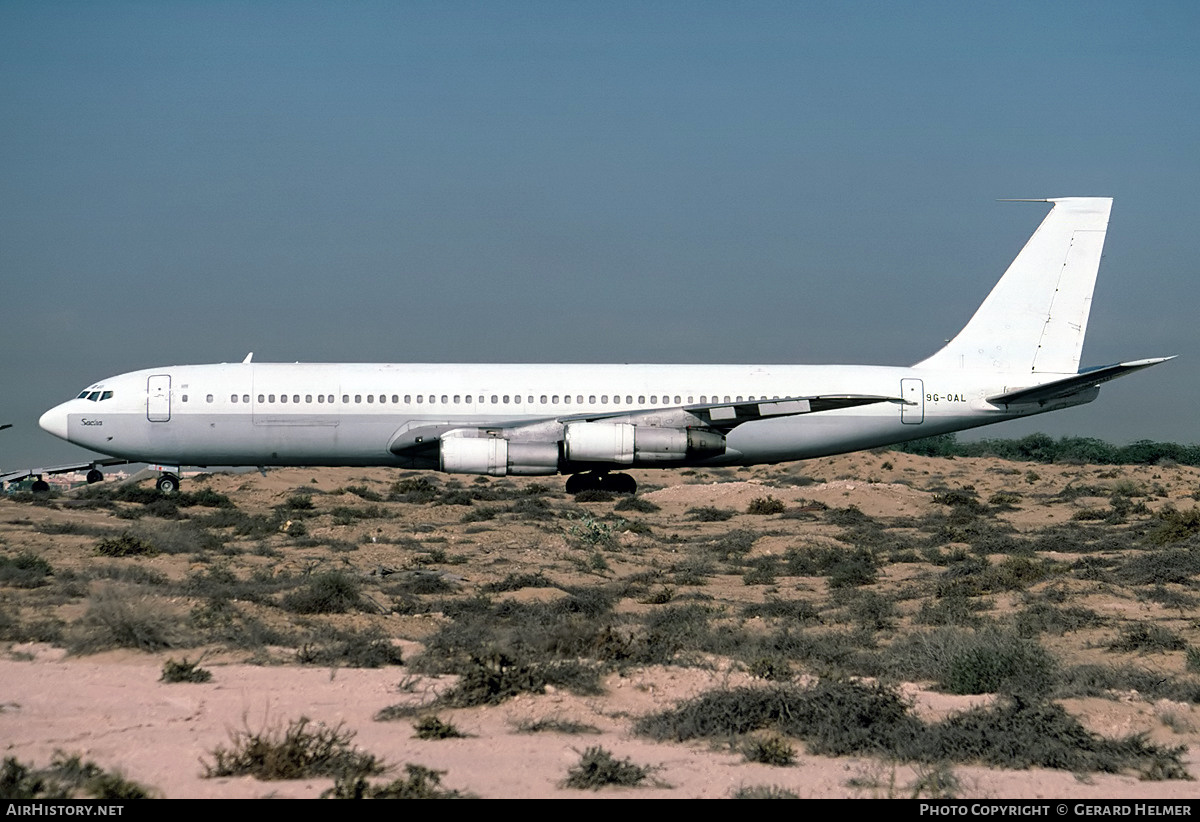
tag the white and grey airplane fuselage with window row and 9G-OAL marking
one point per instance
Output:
(352, 415)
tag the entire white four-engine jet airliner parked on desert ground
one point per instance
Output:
(1018, 356)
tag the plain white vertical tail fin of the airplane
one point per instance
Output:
(1036, 317)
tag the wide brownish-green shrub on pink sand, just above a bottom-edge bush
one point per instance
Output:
(301, 751)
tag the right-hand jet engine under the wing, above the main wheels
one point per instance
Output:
(626, 445)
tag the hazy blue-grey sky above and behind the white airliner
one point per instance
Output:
(581, 182)
